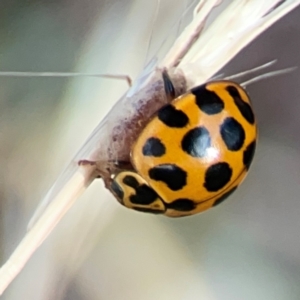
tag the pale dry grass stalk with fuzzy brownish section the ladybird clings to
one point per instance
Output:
(195, 57)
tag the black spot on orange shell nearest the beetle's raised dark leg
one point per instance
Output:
(172, 117)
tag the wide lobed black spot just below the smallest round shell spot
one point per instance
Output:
(173, 176)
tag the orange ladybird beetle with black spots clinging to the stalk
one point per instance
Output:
(192, 154)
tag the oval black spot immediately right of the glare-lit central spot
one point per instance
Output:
(233, 134)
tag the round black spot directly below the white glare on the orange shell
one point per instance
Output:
(217, 176)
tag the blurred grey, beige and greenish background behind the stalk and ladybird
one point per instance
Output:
(247, 248)
